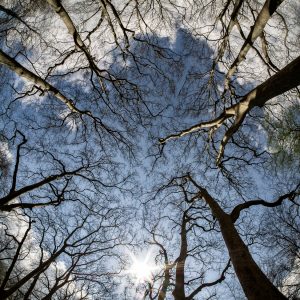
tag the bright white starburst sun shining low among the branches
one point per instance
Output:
(142, 269)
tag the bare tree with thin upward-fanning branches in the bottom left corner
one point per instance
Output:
(42, 258)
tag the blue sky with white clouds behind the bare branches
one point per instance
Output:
(159, 85)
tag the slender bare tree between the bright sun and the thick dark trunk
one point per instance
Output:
(183, 231)
